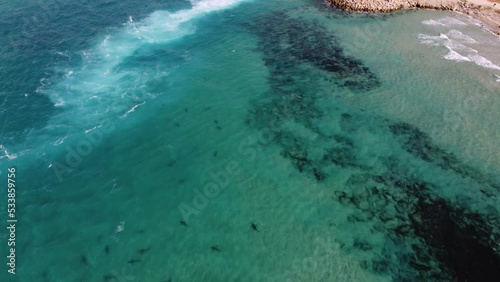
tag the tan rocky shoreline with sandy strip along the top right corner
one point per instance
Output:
(487, 11)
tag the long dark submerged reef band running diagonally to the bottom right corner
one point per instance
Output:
(432, 237)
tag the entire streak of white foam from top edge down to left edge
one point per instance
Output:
(104, 87)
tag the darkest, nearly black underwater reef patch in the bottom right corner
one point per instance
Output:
(460, 241)
